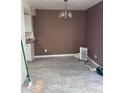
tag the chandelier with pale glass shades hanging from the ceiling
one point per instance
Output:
(65, 13)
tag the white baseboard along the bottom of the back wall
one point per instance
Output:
(57, 55)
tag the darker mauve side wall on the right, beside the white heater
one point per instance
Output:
(94, 32)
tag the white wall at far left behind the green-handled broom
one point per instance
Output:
(25, 5)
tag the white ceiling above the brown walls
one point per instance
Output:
(59, 4)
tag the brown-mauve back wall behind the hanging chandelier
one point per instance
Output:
(59, 36)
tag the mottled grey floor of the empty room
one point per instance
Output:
(64, 75)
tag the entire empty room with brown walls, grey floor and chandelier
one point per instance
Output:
(62, 46)
